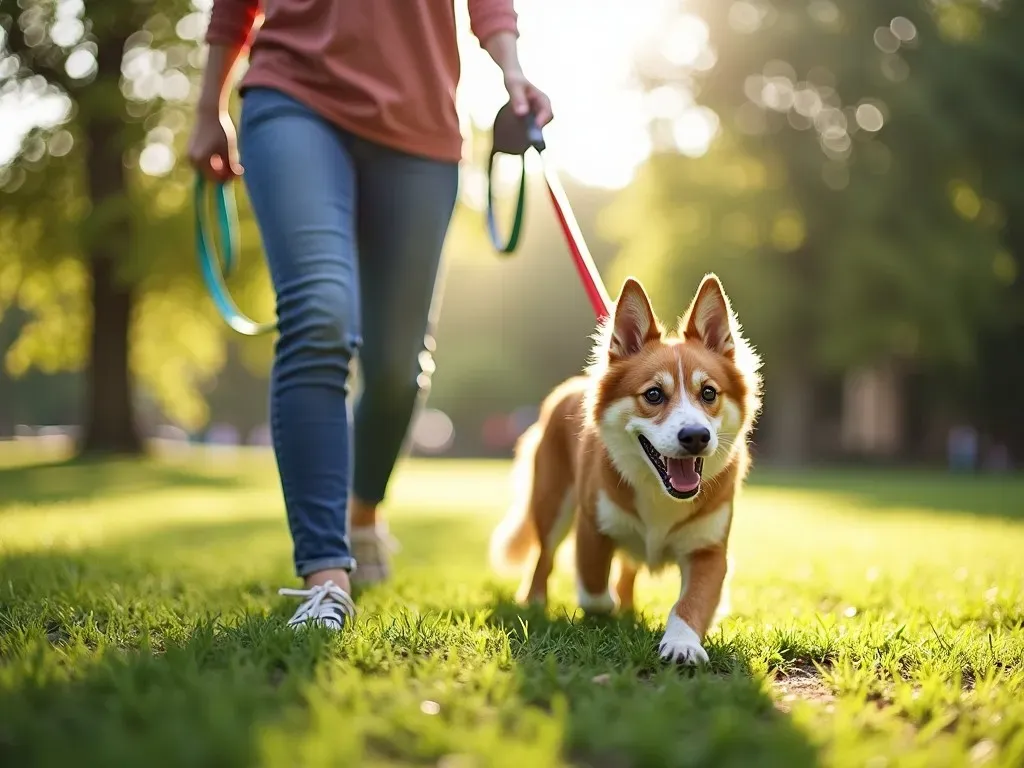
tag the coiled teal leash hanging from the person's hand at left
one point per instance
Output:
(217, 268)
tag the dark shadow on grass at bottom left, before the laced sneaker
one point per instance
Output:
(197, 700)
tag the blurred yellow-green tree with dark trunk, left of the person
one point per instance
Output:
(96, 232)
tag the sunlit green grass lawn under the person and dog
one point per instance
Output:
(877, 621)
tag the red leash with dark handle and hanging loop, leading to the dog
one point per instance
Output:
(515, 136)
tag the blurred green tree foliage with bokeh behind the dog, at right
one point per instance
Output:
(857, 198)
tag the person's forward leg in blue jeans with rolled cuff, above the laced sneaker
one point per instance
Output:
(302, 183)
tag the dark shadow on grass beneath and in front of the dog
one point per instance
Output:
(624, 707)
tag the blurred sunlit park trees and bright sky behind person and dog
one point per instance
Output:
(854, 173)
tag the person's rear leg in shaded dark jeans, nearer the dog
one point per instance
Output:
(406, 204)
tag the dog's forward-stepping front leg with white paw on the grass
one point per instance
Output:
(704, 576)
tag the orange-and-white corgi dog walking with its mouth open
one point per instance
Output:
(645, 454)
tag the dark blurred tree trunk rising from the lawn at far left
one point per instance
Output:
(111, 426)
